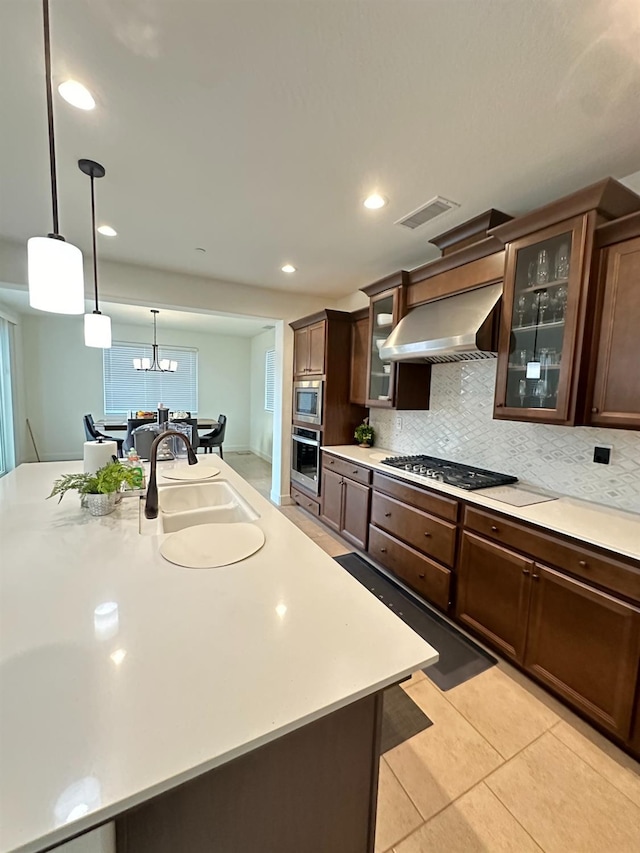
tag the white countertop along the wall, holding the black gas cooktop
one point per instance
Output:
(613, 529)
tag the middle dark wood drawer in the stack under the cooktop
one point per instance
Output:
(422, 531)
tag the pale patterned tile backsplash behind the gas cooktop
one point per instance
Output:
(460, 427)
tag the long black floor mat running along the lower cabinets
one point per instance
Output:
(460, 658)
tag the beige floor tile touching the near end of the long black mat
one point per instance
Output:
(506, 714)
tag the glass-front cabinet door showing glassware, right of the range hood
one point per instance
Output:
(542, 297)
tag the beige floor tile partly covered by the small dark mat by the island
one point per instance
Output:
(442, 762)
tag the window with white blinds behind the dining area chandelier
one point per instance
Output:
(127, 389)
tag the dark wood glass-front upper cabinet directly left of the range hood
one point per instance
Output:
(392, 385)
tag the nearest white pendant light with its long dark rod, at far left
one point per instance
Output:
(56, 279)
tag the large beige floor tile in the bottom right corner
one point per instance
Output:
(563, 803)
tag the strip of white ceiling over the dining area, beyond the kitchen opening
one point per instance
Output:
(135, 315)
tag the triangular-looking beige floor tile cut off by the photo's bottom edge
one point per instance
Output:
(476, 823)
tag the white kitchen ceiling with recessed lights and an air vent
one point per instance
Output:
(254, 129)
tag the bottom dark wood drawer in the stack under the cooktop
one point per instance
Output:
(428, 579)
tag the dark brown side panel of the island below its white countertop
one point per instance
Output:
(312, 790)
